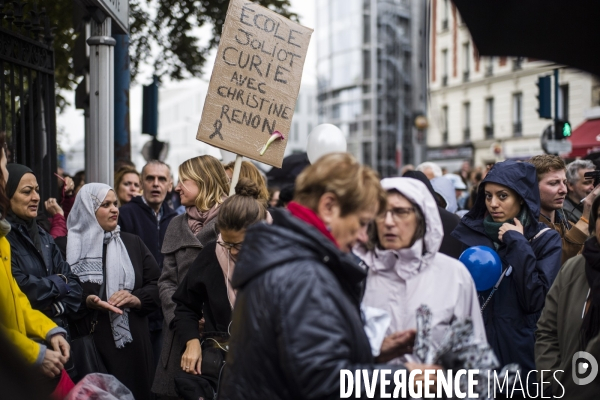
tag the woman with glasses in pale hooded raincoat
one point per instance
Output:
(406, 269)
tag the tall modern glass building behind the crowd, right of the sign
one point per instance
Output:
(371, 64)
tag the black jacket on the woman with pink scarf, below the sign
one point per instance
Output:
(202, 293)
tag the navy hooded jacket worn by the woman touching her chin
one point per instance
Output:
(511, 316)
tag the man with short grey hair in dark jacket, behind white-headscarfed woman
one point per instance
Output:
(148, 216)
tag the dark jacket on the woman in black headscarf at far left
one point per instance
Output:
(36, 273)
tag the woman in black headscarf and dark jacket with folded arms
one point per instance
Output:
(37, 263)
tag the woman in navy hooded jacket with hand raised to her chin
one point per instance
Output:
(505, 218)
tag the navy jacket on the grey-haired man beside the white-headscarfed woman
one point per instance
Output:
(137, 217)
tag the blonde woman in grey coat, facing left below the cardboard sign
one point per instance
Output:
(203, 188)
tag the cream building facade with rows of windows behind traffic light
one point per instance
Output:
(484, 109)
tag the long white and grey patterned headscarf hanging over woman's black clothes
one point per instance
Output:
(84, 254)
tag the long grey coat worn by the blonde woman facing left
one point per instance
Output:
(180, 249)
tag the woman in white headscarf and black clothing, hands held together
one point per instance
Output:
(95, 243)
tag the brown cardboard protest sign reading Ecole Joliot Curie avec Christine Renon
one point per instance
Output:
(254, 83)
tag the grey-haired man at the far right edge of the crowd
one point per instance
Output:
(579, 187)
